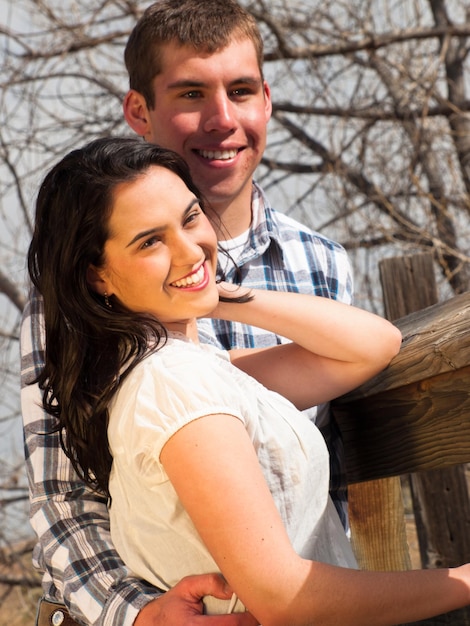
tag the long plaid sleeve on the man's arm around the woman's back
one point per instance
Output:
(74, 550)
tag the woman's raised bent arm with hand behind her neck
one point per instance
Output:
(336, 347)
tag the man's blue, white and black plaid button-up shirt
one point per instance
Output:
(74, 550)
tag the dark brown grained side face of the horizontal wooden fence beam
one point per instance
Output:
(421, 426)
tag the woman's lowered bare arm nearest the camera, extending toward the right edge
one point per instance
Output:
(232, 509)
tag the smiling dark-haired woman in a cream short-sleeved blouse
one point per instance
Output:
(207, 460)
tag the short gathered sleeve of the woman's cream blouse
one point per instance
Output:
(171, 388)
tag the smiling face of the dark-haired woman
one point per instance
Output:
(161, 254)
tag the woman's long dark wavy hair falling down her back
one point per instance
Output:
(90, 348)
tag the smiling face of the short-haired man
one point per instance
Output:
(213, 110)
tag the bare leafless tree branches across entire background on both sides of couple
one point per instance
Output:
(369, 141)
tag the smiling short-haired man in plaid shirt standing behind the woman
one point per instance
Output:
(196, 86)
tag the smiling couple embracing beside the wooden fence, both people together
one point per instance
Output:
(201, 92)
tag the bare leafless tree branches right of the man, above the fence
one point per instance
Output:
(372, 114)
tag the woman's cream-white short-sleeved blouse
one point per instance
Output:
(183, 382)
